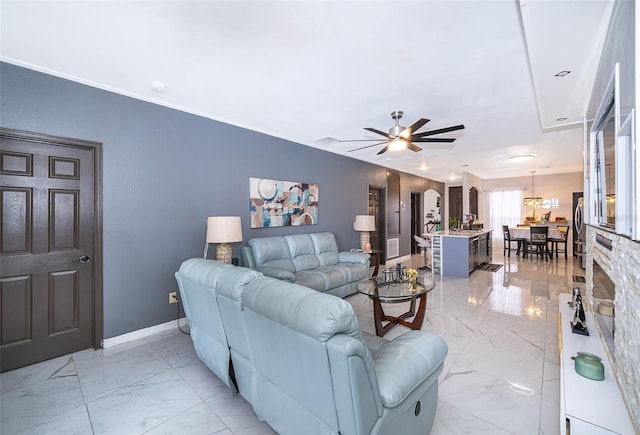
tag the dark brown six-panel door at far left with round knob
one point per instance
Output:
(47, 248)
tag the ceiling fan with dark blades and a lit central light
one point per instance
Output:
(400, 137)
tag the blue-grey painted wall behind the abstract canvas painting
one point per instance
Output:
(165, 171)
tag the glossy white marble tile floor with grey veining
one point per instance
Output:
(501, 375)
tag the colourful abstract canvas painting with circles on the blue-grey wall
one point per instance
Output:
(274, 203)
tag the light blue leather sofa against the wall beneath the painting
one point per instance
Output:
(311, 260)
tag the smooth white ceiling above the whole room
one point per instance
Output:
(315, 71)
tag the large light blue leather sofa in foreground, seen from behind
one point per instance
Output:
(299, 358)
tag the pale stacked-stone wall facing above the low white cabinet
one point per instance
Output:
(622, 264)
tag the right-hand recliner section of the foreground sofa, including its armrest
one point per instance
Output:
(315, 373)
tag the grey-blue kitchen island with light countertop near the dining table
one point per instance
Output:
(458, 253)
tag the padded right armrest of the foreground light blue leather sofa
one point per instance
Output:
(422, 356)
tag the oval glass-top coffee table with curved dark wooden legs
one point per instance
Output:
(395, 291)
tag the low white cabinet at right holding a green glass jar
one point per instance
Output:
(587, 406)
